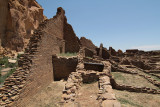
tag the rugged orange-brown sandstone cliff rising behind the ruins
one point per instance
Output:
(22, 16)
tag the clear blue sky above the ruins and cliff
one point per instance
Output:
(122, 24)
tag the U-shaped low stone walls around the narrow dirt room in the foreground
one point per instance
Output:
(106, 96)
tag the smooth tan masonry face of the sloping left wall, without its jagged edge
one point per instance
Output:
(41, 72)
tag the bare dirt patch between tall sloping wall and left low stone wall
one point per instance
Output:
(49, 97)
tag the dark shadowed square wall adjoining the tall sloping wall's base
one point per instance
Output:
(62, 66)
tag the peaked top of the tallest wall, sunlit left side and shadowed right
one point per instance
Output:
(59, 27)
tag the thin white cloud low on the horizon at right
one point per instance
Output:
(147, 47)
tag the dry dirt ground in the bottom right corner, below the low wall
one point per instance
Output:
(132, 99)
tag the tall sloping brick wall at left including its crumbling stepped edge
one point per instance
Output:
(36, 70)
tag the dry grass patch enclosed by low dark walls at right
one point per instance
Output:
(132, 80)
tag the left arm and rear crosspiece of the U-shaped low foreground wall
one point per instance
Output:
(74, 83)
